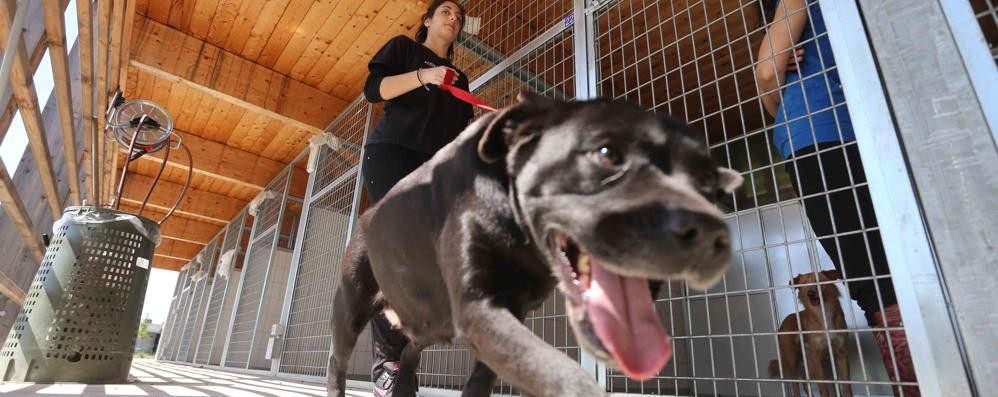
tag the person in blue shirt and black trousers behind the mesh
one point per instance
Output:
(800, 87)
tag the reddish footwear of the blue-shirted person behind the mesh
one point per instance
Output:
(900, 366)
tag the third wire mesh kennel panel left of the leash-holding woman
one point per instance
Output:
(222, 290)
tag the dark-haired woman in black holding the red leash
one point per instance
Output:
(418, 120)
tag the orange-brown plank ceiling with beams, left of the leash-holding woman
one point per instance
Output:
(247, 83)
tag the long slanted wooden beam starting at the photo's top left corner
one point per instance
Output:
(23, 87)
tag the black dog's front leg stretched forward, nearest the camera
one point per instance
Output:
(508, 347)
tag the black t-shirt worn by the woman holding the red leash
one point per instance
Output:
(419, 120)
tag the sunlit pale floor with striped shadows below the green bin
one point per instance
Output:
(153, 378)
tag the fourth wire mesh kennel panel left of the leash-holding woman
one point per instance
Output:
(202, 285)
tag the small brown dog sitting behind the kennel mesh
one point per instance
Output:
(819, 346)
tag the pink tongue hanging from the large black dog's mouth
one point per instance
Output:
(624, 318)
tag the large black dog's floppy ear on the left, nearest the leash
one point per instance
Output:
(510, 126)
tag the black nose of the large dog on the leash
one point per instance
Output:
(697, 230)
